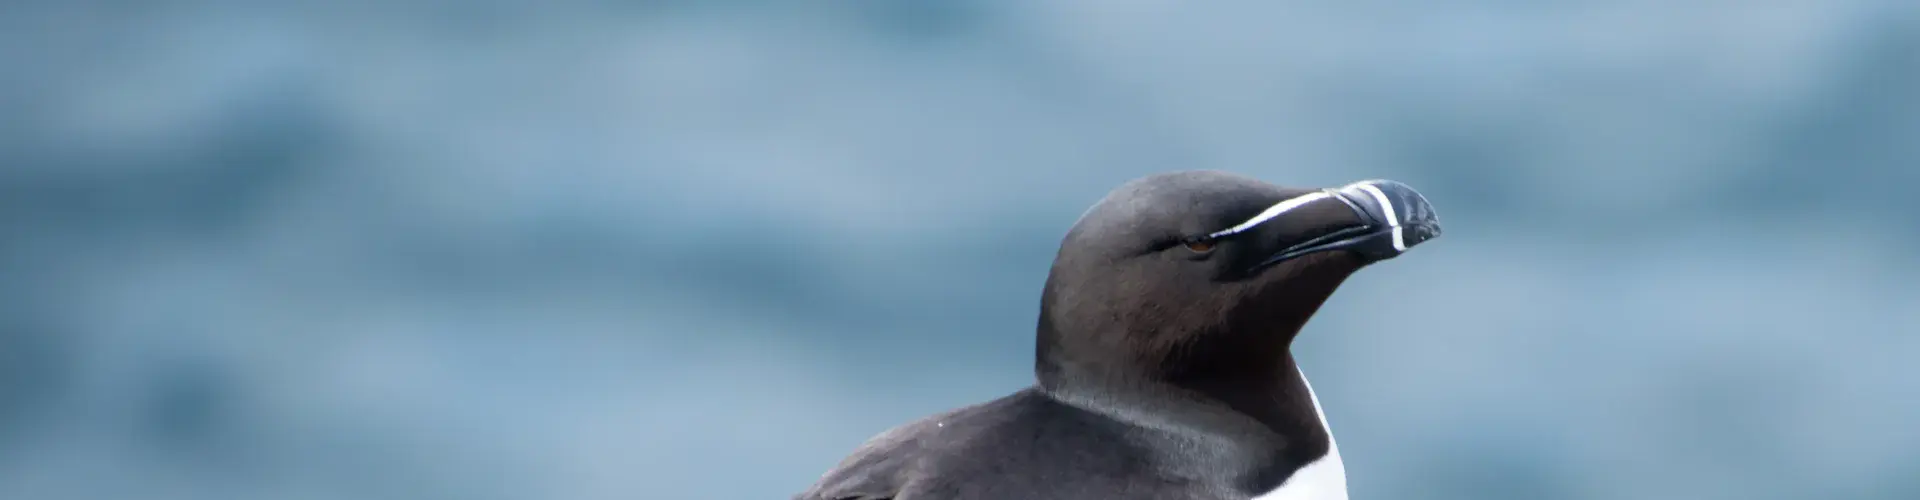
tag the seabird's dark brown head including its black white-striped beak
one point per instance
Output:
(1209, 276)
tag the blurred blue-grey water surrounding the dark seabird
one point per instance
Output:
(704, 249)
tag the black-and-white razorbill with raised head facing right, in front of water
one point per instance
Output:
(1163, 355)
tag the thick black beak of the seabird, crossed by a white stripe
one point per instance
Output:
(1393, 218)
